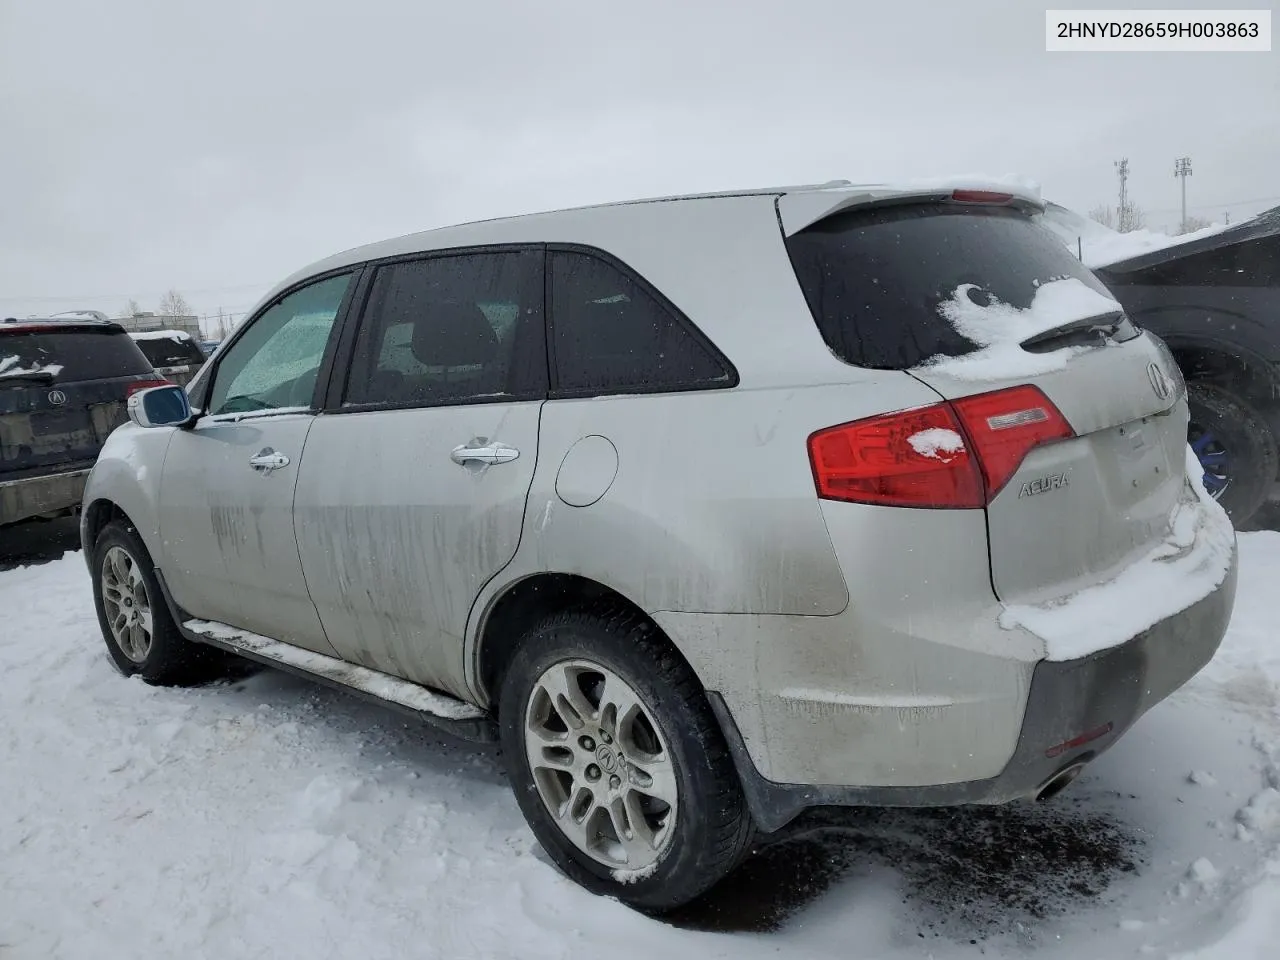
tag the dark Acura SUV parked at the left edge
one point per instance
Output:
(63, 386)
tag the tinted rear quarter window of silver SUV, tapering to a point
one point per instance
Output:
(614, 336)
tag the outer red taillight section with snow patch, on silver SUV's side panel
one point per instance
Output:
(915, 459)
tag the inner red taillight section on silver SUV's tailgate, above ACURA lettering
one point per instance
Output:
(1005, 427)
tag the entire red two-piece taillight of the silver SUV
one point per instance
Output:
(952, 455)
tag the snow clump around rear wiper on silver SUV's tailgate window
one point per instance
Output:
(999, 330)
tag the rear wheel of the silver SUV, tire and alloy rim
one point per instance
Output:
(618, 762)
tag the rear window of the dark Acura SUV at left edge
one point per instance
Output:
(66, 356)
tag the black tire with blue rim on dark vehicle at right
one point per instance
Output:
(1236, 447)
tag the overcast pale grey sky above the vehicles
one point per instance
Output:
(216, 147)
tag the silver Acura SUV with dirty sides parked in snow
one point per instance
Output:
(710, 509)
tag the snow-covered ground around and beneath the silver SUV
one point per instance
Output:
(266, 817)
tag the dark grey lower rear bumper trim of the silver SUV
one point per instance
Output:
(1108, 692)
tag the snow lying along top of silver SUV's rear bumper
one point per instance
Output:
(1188, 565)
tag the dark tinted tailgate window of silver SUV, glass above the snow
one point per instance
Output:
(876, 278)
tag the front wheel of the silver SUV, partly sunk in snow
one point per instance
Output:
(141, 636)
